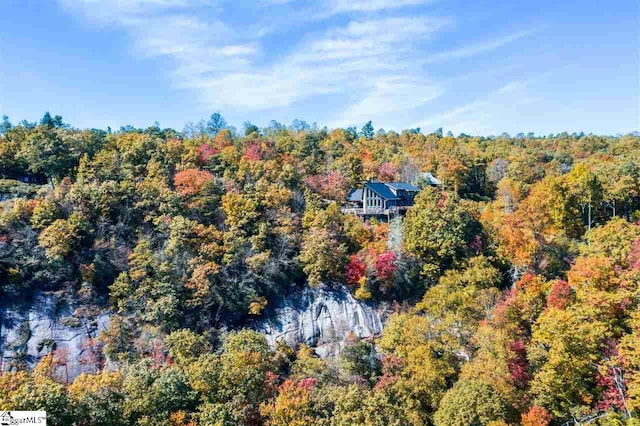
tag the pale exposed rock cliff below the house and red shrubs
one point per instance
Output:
(322, 318)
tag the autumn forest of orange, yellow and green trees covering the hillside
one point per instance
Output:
(515, 285)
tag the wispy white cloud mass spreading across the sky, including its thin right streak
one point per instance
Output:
(371, 55)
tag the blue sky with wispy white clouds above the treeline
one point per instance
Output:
(474, 66)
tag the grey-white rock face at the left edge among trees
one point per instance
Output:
(28, 331)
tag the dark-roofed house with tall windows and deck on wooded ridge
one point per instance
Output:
(381, 199)
